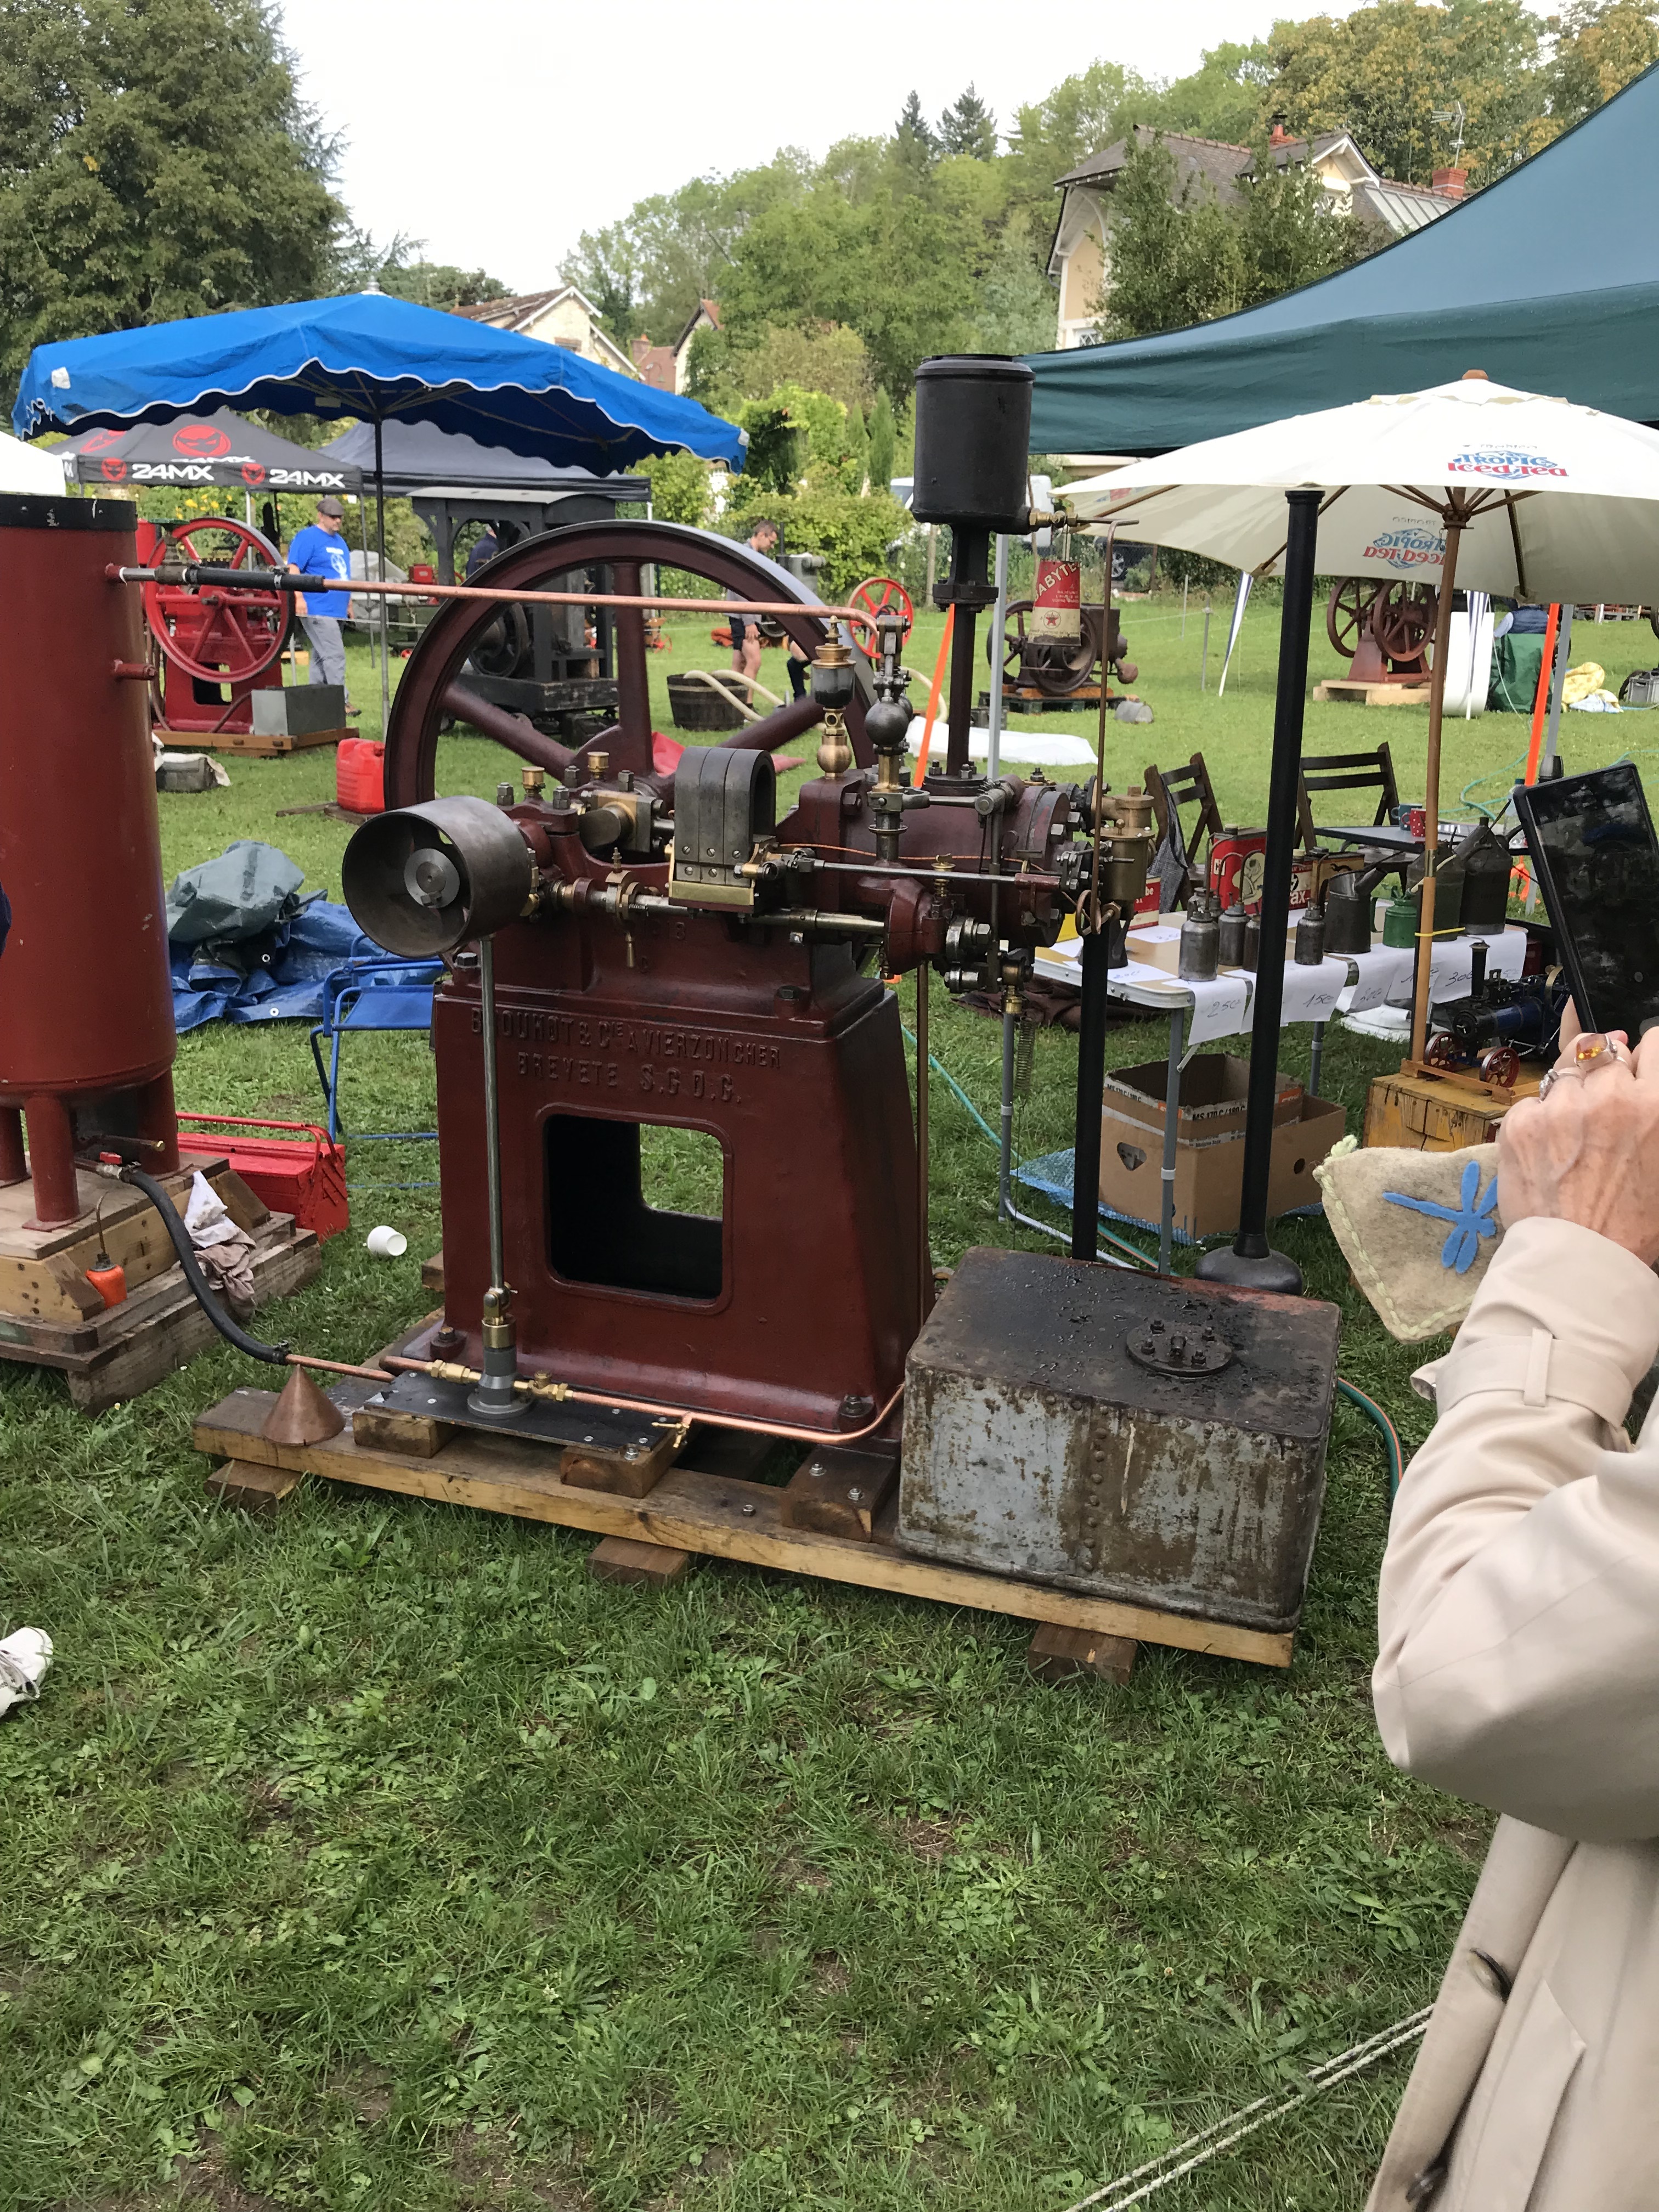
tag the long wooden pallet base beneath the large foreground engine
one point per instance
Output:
(702, 1507)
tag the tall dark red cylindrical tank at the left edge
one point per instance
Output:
(85, 994)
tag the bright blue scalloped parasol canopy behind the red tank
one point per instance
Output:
(366, 355)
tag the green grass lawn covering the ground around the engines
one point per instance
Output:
(382, 1859)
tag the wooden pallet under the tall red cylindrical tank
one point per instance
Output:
(158, 1328)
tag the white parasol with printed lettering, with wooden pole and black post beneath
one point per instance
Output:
(1470, 481)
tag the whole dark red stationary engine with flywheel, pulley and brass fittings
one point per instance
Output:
(662, 952)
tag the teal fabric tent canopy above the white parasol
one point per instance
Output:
(1550, 282)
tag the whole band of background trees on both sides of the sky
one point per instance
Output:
(158, 160)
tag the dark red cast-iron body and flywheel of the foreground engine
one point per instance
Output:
(625, 1003)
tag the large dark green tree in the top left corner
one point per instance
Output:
(156, 163)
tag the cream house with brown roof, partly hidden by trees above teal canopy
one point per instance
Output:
(1081, 255)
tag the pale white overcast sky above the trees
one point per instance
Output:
(499, 132)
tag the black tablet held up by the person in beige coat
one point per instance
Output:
(1598, 870)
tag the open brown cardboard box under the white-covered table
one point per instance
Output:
(1209, 1171)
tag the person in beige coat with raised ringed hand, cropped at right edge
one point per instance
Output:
(1521, 1669)
